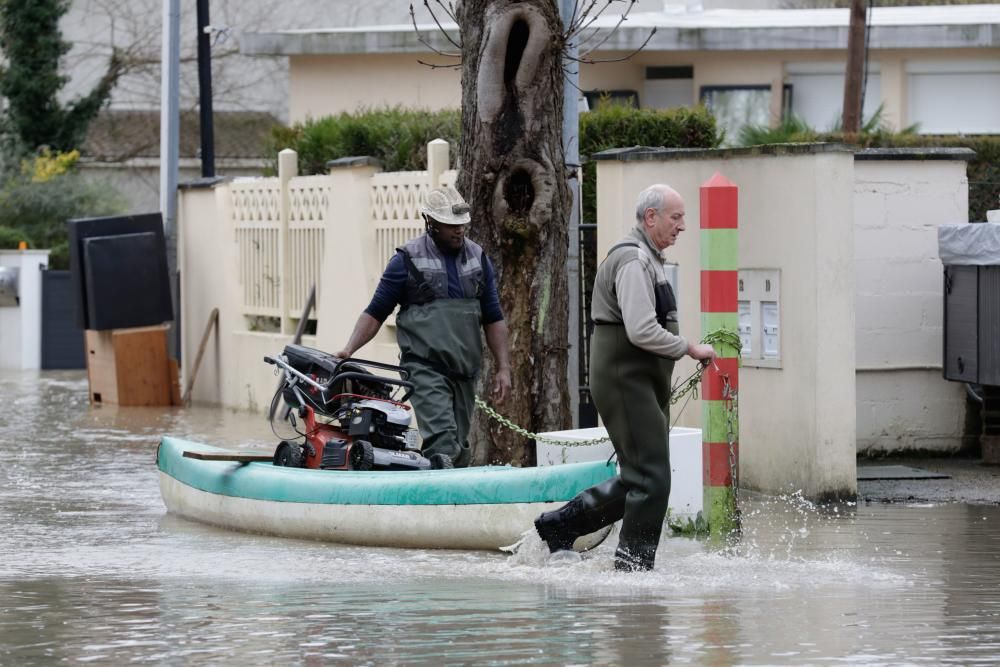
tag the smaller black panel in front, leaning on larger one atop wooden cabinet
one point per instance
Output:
(123, 287)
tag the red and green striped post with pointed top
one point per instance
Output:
(719, 281)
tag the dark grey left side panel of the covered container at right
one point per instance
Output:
(961, 303)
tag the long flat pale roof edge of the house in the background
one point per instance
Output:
(939, 27)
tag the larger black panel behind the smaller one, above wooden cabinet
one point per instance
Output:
(84, 228)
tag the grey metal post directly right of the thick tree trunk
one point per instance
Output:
(571, 144)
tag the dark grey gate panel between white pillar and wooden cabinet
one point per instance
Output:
(63, 344)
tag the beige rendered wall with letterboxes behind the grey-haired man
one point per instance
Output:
(797, 423)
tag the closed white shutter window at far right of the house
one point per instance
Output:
(958, 96)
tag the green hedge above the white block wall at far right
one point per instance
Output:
(983, 171)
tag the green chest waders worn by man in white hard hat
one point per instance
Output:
(441, 347)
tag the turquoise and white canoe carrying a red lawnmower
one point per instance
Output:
(472, 508)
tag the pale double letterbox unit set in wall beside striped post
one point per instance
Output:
(760, 317)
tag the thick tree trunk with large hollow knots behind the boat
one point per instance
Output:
(513, 175)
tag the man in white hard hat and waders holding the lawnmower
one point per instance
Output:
(446, 289)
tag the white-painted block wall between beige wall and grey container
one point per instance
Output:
(904, 403)
